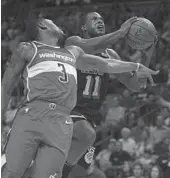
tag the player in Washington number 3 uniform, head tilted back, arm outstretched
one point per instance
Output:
(42, 129)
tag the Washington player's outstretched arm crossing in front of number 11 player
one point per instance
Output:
(88, 62)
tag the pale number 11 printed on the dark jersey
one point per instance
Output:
(92, 87)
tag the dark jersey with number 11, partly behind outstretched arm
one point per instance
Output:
(92, 89)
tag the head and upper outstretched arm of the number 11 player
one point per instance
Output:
(98, 41)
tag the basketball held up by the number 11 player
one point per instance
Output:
(142, 34)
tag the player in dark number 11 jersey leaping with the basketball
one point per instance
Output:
(92, 88)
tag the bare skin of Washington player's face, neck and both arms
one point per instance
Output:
(50, 34)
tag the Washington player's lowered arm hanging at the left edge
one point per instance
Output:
(19, 59)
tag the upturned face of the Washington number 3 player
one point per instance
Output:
(52, 29)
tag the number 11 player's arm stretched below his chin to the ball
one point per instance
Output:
(100, 43)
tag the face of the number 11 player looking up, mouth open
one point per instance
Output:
(95, 25)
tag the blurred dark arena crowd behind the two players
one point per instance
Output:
(144, 118)
